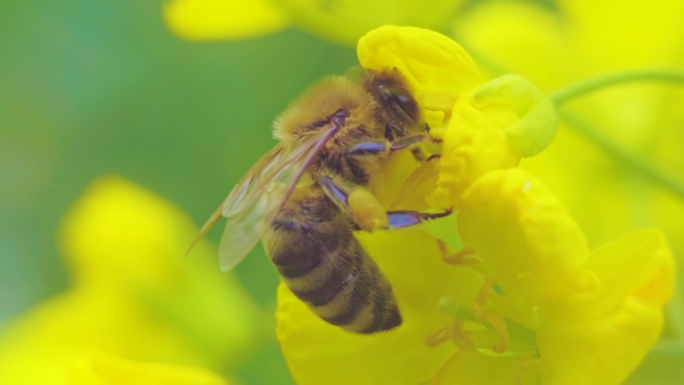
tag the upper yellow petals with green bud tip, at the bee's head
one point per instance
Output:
(484, 126)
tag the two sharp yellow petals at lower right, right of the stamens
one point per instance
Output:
(590, 305)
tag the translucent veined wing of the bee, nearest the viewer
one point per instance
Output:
(255, 202)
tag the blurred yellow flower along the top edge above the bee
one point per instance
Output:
(340, 21)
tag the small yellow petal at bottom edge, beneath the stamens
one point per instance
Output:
(473, 368)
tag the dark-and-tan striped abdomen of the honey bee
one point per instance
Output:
(313, 248)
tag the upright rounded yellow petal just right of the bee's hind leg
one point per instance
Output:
(525, 236)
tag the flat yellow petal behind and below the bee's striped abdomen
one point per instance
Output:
(318, 353)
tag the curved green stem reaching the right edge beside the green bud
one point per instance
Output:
(580, 89)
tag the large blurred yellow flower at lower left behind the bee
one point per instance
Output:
(133, 295)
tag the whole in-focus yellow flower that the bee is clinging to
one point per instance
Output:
(524, 286)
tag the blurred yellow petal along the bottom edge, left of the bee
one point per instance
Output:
(102, 369)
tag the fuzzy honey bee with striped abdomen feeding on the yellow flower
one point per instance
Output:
(339, 134)
